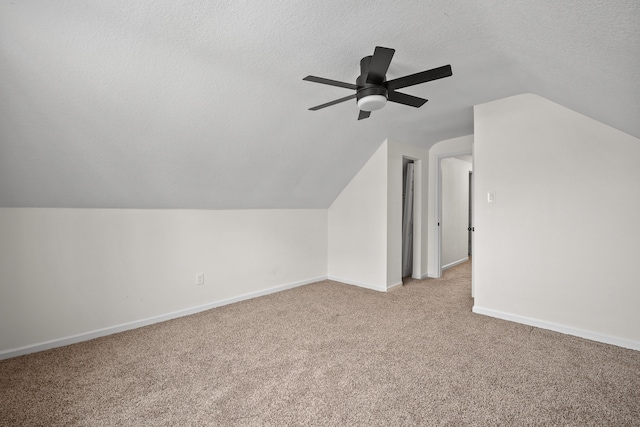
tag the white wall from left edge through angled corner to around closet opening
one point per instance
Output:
(67, 275)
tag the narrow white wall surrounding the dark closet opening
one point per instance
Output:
(396, 152)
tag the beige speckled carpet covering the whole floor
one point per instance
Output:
(330, 354)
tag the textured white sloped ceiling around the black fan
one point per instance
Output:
(198, 104)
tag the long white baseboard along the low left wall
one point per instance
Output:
(86, 336)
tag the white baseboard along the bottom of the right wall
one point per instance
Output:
(543, 324)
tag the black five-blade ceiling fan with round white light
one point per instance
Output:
(372, 88)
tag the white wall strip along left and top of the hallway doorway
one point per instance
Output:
(443, 149)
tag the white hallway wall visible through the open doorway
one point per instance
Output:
(455, 211)
